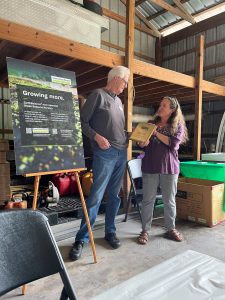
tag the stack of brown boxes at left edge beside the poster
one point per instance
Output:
(4, 172)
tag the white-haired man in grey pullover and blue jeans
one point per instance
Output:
(102, 120)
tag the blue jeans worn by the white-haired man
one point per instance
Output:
(108, 169)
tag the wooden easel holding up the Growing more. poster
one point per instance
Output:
(34, 206)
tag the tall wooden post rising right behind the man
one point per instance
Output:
(129, 95)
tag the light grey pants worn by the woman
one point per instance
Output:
(168, 184)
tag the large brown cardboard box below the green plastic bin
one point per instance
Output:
(200, 201)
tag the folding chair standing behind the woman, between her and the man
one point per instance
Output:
(136, 193)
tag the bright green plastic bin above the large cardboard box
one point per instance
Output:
(204, 170)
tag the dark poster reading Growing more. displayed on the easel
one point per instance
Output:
(46, 118)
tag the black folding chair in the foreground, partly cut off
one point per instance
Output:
(29, 251)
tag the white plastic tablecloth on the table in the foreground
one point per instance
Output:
(187, 276)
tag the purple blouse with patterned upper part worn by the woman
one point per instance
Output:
(161, 158)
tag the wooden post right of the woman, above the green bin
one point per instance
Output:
(198, 97)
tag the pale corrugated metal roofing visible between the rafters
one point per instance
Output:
(162, 18)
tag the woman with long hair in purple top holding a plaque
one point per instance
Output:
(160, 166)
